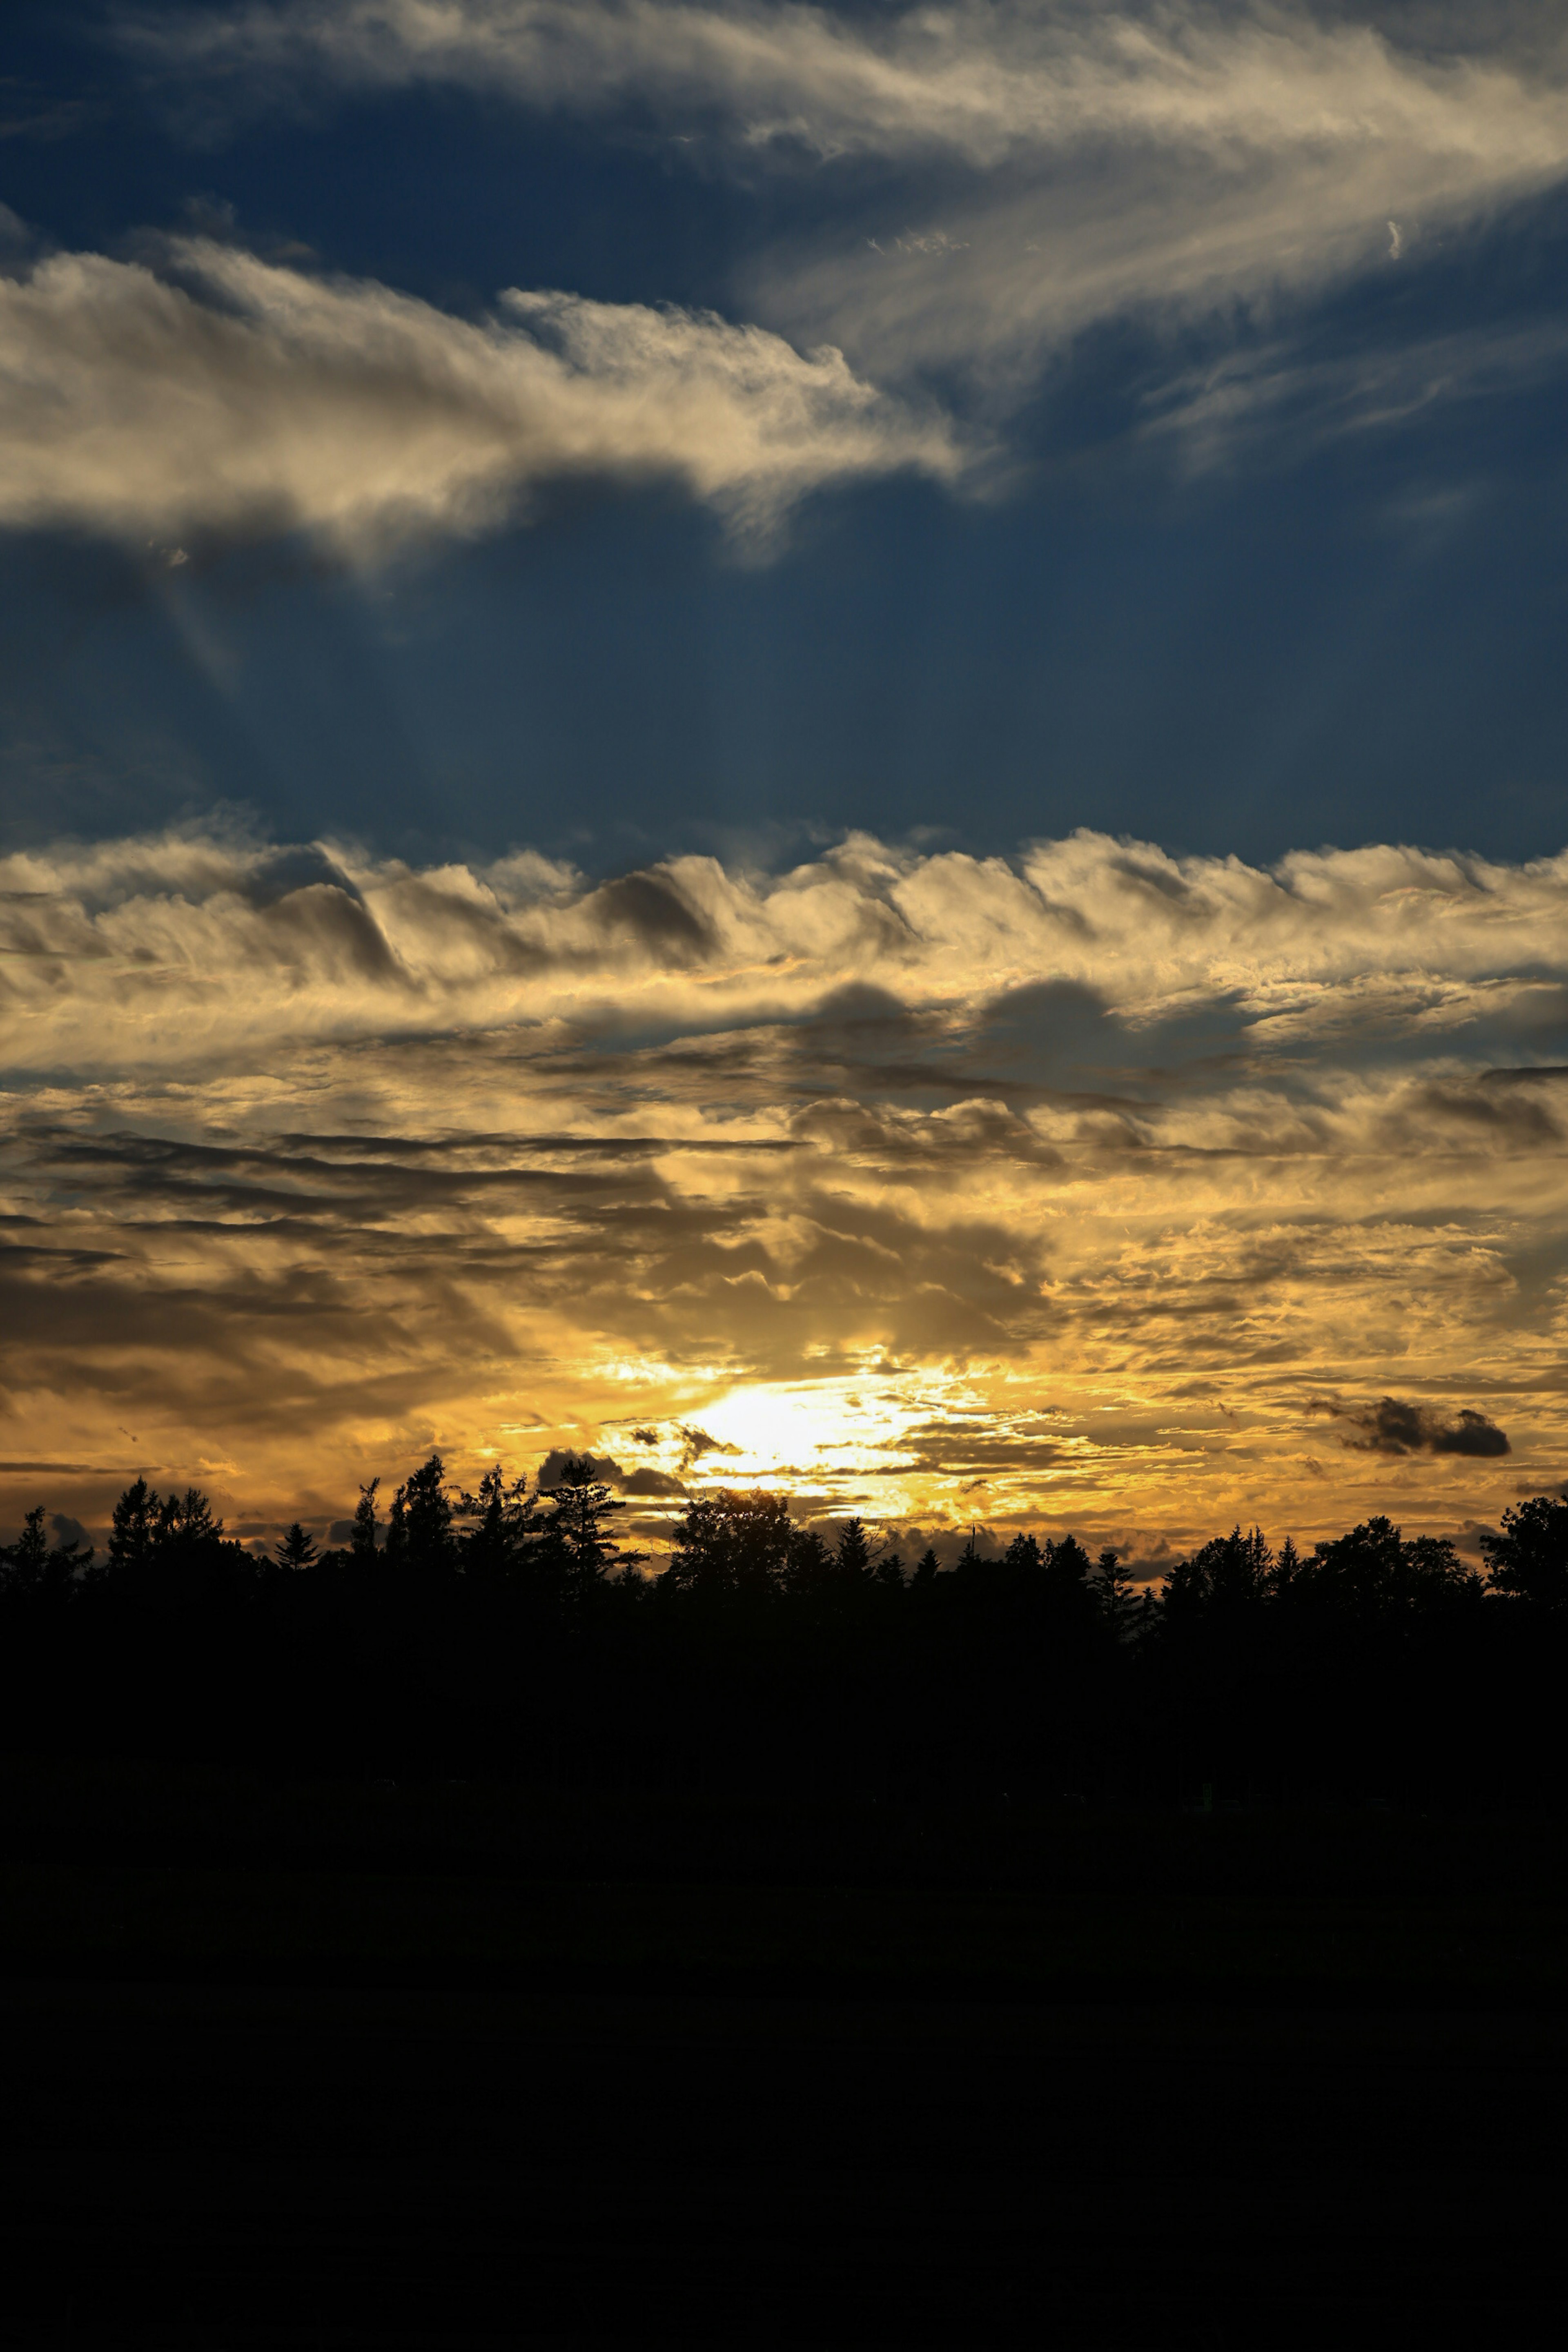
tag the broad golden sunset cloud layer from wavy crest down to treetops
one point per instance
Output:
(1092, 1189)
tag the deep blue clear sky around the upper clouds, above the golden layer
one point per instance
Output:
(1327, 613)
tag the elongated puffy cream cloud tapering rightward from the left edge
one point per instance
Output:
(229, 394)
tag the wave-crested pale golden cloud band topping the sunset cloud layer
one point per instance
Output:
(185, 949)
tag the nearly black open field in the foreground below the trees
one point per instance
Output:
(330, 2069)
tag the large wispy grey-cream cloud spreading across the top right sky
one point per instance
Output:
(1019, 173)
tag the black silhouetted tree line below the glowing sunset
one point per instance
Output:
(514, 1633)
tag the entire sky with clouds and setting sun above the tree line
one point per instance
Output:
(796, 744)
